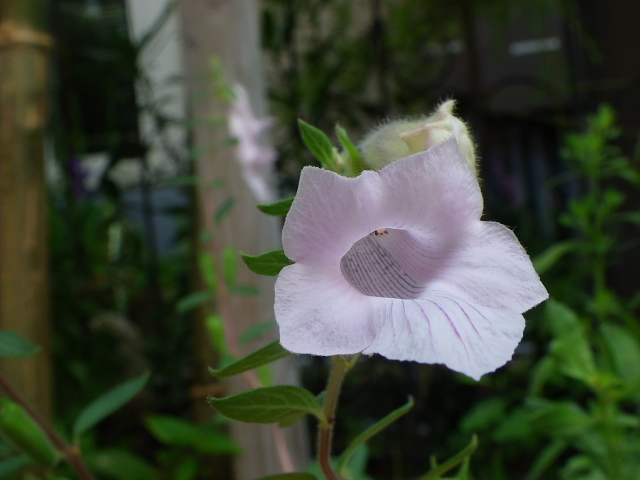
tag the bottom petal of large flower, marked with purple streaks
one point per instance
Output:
(468, 338)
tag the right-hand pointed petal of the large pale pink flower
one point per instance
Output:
(492, 269)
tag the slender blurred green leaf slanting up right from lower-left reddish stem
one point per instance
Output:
(108, 403)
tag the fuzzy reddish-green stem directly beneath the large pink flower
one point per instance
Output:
(341, 366)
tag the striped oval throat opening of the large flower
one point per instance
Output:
(389, 263)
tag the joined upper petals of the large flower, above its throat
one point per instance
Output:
(434, 193)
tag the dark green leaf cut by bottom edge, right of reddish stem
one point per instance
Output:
(121, 465)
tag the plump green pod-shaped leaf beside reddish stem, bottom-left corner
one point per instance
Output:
(24, 434)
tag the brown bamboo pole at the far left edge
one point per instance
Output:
(24, 279)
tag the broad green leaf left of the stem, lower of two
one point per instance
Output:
(268, 404)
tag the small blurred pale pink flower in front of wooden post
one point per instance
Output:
(256, 160)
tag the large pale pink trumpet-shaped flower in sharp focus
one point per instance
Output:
(398, 262)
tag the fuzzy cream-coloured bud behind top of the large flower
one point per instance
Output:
(401, 138)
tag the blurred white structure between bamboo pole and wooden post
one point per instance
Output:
(160, 92)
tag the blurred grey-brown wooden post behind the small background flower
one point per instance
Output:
(228, 30)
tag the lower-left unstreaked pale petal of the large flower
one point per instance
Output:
(320, 313)
